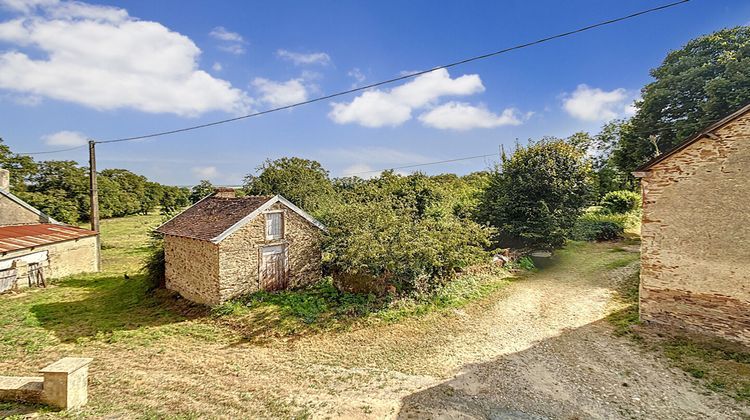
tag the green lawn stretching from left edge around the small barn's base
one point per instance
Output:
(107, 307)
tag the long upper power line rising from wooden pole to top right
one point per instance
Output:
(397, 79)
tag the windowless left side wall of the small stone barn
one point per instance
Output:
(192, 269)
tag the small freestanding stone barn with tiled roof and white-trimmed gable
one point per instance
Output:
(226, 246)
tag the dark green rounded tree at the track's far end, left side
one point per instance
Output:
(535, 197)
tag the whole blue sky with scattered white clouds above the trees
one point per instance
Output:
(74, 70)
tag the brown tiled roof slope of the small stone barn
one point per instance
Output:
(211, 217)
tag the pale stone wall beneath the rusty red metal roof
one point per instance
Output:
(63, 258)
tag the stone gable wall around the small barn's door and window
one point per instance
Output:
(240, 254)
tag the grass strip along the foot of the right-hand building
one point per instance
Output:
(719, 365)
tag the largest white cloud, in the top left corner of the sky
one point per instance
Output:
(102, 58)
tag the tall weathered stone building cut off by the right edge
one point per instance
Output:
(695, 249)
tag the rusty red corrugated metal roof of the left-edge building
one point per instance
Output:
(17, 237)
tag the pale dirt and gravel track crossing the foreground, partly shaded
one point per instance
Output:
(537, 349)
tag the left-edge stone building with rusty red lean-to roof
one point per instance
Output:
(33, 246)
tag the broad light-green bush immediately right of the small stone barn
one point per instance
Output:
(400, 230)
